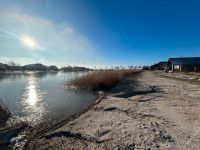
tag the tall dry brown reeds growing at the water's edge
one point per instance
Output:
(100, 80)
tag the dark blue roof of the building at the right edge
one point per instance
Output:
(185, 60)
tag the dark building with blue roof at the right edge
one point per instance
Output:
(184, 64)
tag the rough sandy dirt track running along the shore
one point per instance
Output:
(143, 112)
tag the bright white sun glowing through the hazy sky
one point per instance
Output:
(28, 42)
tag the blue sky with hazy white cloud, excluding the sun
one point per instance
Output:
(99, 32)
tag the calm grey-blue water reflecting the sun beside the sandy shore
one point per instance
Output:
(35, 97)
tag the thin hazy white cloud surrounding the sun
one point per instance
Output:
(59, 44)
